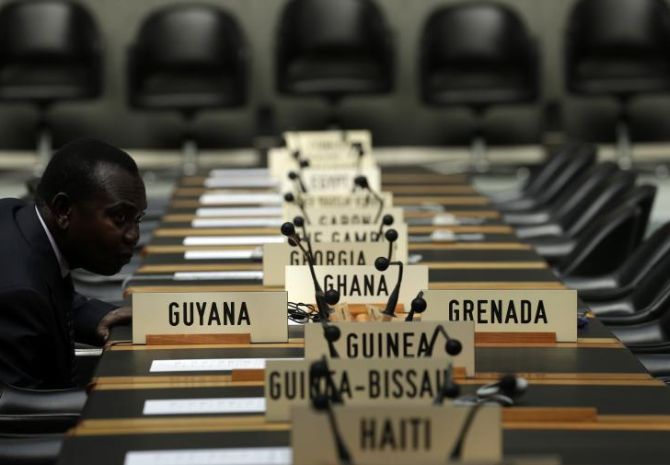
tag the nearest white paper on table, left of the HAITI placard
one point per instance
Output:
(228, 456)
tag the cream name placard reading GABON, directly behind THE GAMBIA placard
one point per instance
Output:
(345, 216)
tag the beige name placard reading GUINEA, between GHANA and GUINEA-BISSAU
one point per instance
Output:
(381, 340)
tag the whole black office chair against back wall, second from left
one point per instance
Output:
(187, 58)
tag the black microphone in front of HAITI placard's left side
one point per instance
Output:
(322, 402)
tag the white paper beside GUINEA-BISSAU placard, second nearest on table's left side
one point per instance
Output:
(204, 406)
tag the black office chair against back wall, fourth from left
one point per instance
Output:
(477, 55)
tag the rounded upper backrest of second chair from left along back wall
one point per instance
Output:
(190, 37)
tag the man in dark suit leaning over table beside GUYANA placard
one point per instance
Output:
(88, 206)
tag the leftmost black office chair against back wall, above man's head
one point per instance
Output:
(49, 52)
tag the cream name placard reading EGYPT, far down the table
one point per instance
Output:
(334, 180)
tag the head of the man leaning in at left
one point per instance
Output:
(92, 198)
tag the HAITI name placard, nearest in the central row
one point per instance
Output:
(399, 435)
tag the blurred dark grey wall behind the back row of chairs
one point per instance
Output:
(397, 119)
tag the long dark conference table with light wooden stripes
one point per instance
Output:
(589, 402)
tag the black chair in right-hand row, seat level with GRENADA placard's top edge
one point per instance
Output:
(641, 265)
